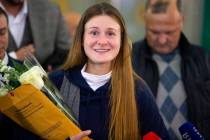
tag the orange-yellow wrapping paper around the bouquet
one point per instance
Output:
(31, 109)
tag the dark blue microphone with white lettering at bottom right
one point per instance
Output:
(189, 132)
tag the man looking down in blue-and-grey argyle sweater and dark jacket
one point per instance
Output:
(177, 72)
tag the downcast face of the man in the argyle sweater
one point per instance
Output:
(163, 31)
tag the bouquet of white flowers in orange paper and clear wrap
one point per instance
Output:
(29, 98)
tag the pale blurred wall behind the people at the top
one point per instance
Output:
(132, 11)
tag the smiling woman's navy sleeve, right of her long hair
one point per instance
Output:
(150, 119)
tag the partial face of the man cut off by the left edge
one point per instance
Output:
(3, 35)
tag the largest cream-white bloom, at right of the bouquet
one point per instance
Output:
(33, 76)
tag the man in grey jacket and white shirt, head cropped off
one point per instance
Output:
(37, 26)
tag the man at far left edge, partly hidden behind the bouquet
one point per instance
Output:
(8, 129)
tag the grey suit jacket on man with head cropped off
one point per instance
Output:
(50, 34)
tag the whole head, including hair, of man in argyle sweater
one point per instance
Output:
(163, 22)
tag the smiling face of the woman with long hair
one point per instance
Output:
(102, 39)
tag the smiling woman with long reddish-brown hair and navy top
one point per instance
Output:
(112, 102)
